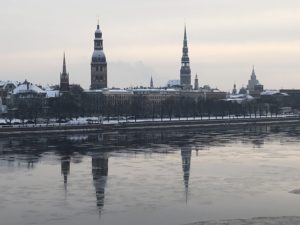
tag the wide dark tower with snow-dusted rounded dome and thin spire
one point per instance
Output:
(98, 64)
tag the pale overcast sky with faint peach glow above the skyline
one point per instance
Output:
(144, 38)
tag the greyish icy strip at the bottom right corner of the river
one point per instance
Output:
(254, 221)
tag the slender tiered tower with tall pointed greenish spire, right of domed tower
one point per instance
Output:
(185, 71)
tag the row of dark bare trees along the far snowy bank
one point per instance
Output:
(77, 103)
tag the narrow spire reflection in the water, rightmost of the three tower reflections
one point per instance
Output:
(186, 154)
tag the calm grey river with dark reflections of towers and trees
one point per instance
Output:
(148, 178)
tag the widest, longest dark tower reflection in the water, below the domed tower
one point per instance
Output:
(100, 172)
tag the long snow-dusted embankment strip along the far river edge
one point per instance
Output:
(142, 125)
